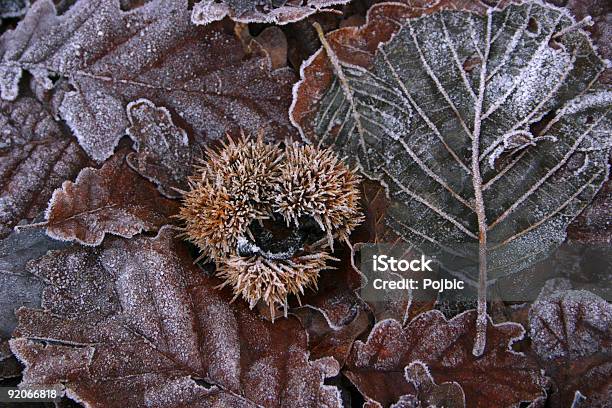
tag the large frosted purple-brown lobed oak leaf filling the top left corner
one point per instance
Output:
(111, 57)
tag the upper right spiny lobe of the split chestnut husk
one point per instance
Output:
(315, 182)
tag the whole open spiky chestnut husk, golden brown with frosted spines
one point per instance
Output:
(246, 181)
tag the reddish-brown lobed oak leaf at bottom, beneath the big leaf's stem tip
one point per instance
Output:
(499, 378)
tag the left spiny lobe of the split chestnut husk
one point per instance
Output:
(230, 189)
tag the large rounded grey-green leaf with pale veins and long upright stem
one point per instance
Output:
(435, 103)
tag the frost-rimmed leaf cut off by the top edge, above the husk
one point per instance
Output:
(258, 11)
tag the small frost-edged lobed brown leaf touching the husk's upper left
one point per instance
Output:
(164, 153)
